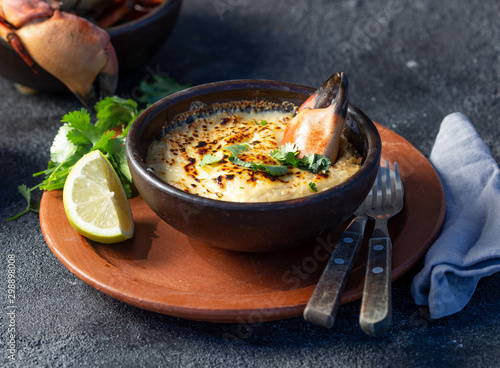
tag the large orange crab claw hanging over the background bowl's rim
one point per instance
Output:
(76, 52)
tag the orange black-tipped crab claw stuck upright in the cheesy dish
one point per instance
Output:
(320, 120)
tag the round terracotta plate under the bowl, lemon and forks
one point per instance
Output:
(164, 271)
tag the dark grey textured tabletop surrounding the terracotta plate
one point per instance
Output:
(410, 63)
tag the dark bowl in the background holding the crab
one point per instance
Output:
(135, 42)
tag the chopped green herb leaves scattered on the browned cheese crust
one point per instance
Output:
(286, 156)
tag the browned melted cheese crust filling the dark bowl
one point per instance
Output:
(175, 157)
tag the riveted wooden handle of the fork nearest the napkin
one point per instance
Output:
(376, 305)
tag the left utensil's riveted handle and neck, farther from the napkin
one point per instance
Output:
(325, 300)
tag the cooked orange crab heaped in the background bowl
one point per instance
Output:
(76, 50)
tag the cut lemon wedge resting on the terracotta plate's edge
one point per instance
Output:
(95, 201)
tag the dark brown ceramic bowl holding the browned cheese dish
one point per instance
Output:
(250, 227)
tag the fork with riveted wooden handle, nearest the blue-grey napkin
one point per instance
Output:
(386, 198)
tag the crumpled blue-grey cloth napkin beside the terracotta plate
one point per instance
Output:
(468, 247)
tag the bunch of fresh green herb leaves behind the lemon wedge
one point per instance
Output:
(78, 136)
